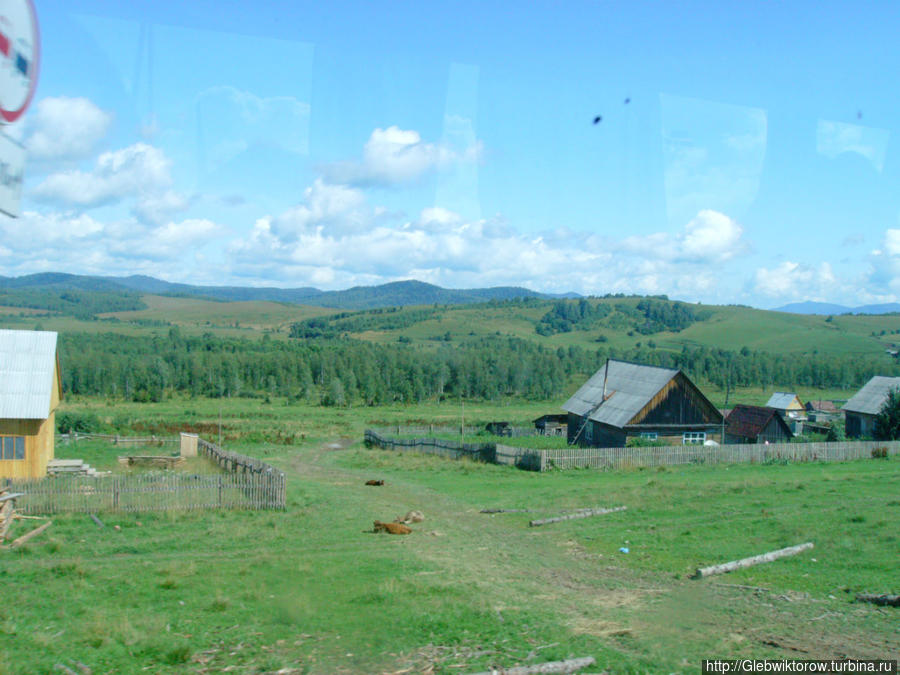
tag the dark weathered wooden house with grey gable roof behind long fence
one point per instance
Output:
(625, 400)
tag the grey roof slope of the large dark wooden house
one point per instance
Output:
(629, 387)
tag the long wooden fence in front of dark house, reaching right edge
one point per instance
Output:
(619, 458)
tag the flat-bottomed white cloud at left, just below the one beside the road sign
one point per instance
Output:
(135, 170)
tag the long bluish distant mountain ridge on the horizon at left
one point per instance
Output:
(393, 294)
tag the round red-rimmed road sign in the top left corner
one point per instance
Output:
(20, 56)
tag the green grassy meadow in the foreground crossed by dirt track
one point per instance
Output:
(311, 589)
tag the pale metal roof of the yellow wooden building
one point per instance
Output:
(27, 360)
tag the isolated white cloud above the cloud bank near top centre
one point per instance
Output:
(395, 156)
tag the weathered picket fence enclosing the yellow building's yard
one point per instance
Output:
(247, 484)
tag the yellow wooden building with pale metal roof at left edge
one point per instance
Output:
(30, 390)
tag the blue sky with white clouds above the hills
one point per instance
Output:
(345, 143)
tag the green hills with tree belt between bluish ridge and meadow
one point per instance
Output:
(522, 347)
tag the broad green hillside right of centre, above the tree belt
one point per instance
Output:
(724, 327)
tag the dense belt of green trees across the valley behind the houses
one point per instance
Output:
(354, 372)
